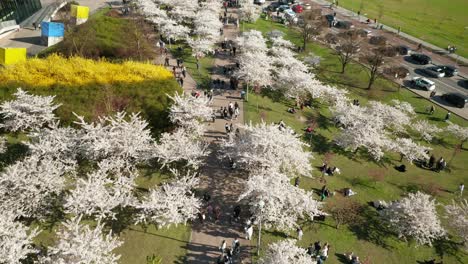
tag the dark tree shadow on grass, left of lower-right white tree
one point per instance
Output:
(372, 228)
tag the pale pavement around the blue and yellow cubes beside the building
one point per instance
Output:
(31, 39)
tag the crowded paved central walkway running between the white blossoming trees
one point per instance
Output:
(219, 180)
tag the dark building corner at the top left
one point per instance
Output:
(18, 10)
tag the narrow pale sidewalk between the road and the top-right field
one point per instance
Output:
(434, 48)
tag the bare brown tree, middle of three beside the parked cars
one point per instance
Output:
(347, 47)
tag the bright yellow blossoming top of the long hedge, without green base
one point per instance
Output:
(76, 71)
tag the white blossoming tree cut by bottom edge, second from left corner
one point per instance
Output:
(81, 244)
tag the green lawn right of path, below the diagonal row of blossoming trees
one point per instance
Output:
(369, 237)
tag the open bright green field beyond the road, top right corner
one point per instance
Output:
(439, 22)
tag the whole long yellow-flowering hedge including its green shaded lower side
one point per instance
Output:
(93, 88)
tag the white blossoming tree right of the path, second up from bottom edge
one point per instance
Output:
(284, 204)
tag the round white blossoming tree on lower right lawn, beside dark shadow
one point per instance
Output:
(415, 216)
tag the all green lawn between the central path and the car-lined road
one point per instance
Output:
(367, 238)
